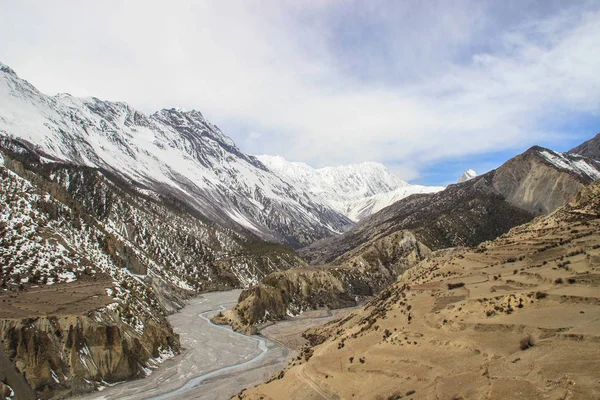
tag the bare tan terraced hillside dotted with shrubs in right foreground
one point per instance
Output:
(516, 317)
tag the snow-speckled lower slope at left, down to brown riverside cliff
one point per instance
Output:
(92, 264)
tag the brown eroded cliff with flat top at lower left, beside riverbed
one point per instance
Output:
(67, 355)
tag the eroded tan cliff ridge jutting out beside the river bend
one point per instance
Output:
(363, 273)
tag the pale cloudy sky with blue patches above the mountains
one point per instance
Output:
(428, 88)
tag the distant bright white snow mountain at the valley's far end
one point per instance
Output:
(356, 191)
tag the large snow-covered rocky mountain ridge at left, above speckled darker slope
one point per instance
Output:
(172, 152)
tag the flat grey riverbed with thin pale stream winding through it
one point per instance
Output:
(204, 369)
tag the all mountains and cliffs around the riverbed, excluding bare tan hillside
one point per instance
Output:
(111, 218)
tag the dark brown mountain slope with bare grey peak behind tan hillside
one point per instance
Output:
(535, 182)
